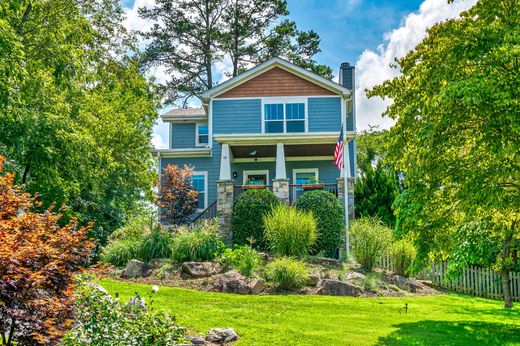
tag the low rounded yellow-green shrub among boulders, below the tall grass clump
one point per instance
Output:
(287, 273)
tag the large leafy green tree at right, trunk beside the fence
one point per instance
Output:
(456, 136)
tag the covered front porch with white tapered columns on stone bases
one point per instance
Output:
(288, 168)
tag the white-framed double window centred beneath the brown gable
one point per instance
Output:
(284, 117)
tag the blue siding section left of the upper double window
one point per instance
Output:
(237, 116)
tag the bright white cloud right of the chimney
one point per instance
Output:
(373, 68)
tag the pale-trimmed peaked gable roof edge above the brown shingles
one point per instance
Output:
(269, 64)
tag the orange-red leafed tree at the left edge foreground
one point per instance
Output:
(38, 261)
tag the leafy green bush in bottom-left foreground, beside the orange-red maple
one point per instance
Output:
(103, 320)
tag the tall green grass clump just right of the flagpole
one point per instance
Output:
(370, 239)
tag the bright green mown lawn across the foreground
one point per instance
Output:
(319, 320)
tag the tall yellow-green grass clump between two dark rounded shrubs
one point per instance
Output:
(289, 231)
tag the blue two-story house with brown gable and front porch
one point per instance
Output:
(273, 123)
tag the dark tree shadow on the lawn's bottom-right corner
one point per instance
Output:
(452, 333)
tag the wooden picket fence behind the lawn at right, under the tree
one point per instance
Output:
(477, 281)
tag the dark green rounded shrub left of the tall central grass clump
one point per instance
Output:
(247, 217)
